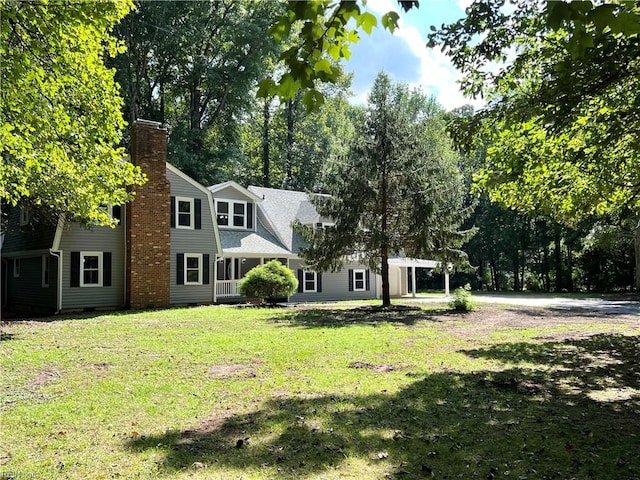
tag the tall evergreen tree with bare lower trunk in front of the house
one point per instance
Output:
(398, 191)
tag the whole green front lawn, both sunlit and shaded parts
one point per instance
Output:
(224, 392)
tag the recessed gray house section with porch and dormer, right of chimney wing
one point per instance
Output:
(256, 225)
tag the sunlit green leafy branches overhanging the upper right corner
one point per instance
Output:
(561, 122)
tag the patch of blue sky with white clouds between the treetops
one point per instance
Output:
(404, 55)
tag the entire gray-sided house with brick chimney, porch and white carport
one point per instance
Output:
(177, 242)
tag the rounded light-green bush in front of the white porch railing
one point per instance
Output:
(269, 282)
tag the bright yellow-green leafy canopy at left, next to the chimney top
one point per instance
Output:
(61, 120)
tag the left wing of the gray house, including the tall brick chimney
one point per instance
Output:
(161, 252)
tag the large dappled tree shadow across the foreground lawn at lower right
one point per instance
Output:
(561, 419)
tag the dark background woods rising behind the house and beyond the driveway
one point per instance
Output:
(195, 66)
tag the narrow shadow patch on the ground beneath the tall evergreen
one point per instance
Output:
(370, 315)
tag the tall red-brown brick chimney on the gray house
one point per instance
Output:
(148, 220)
